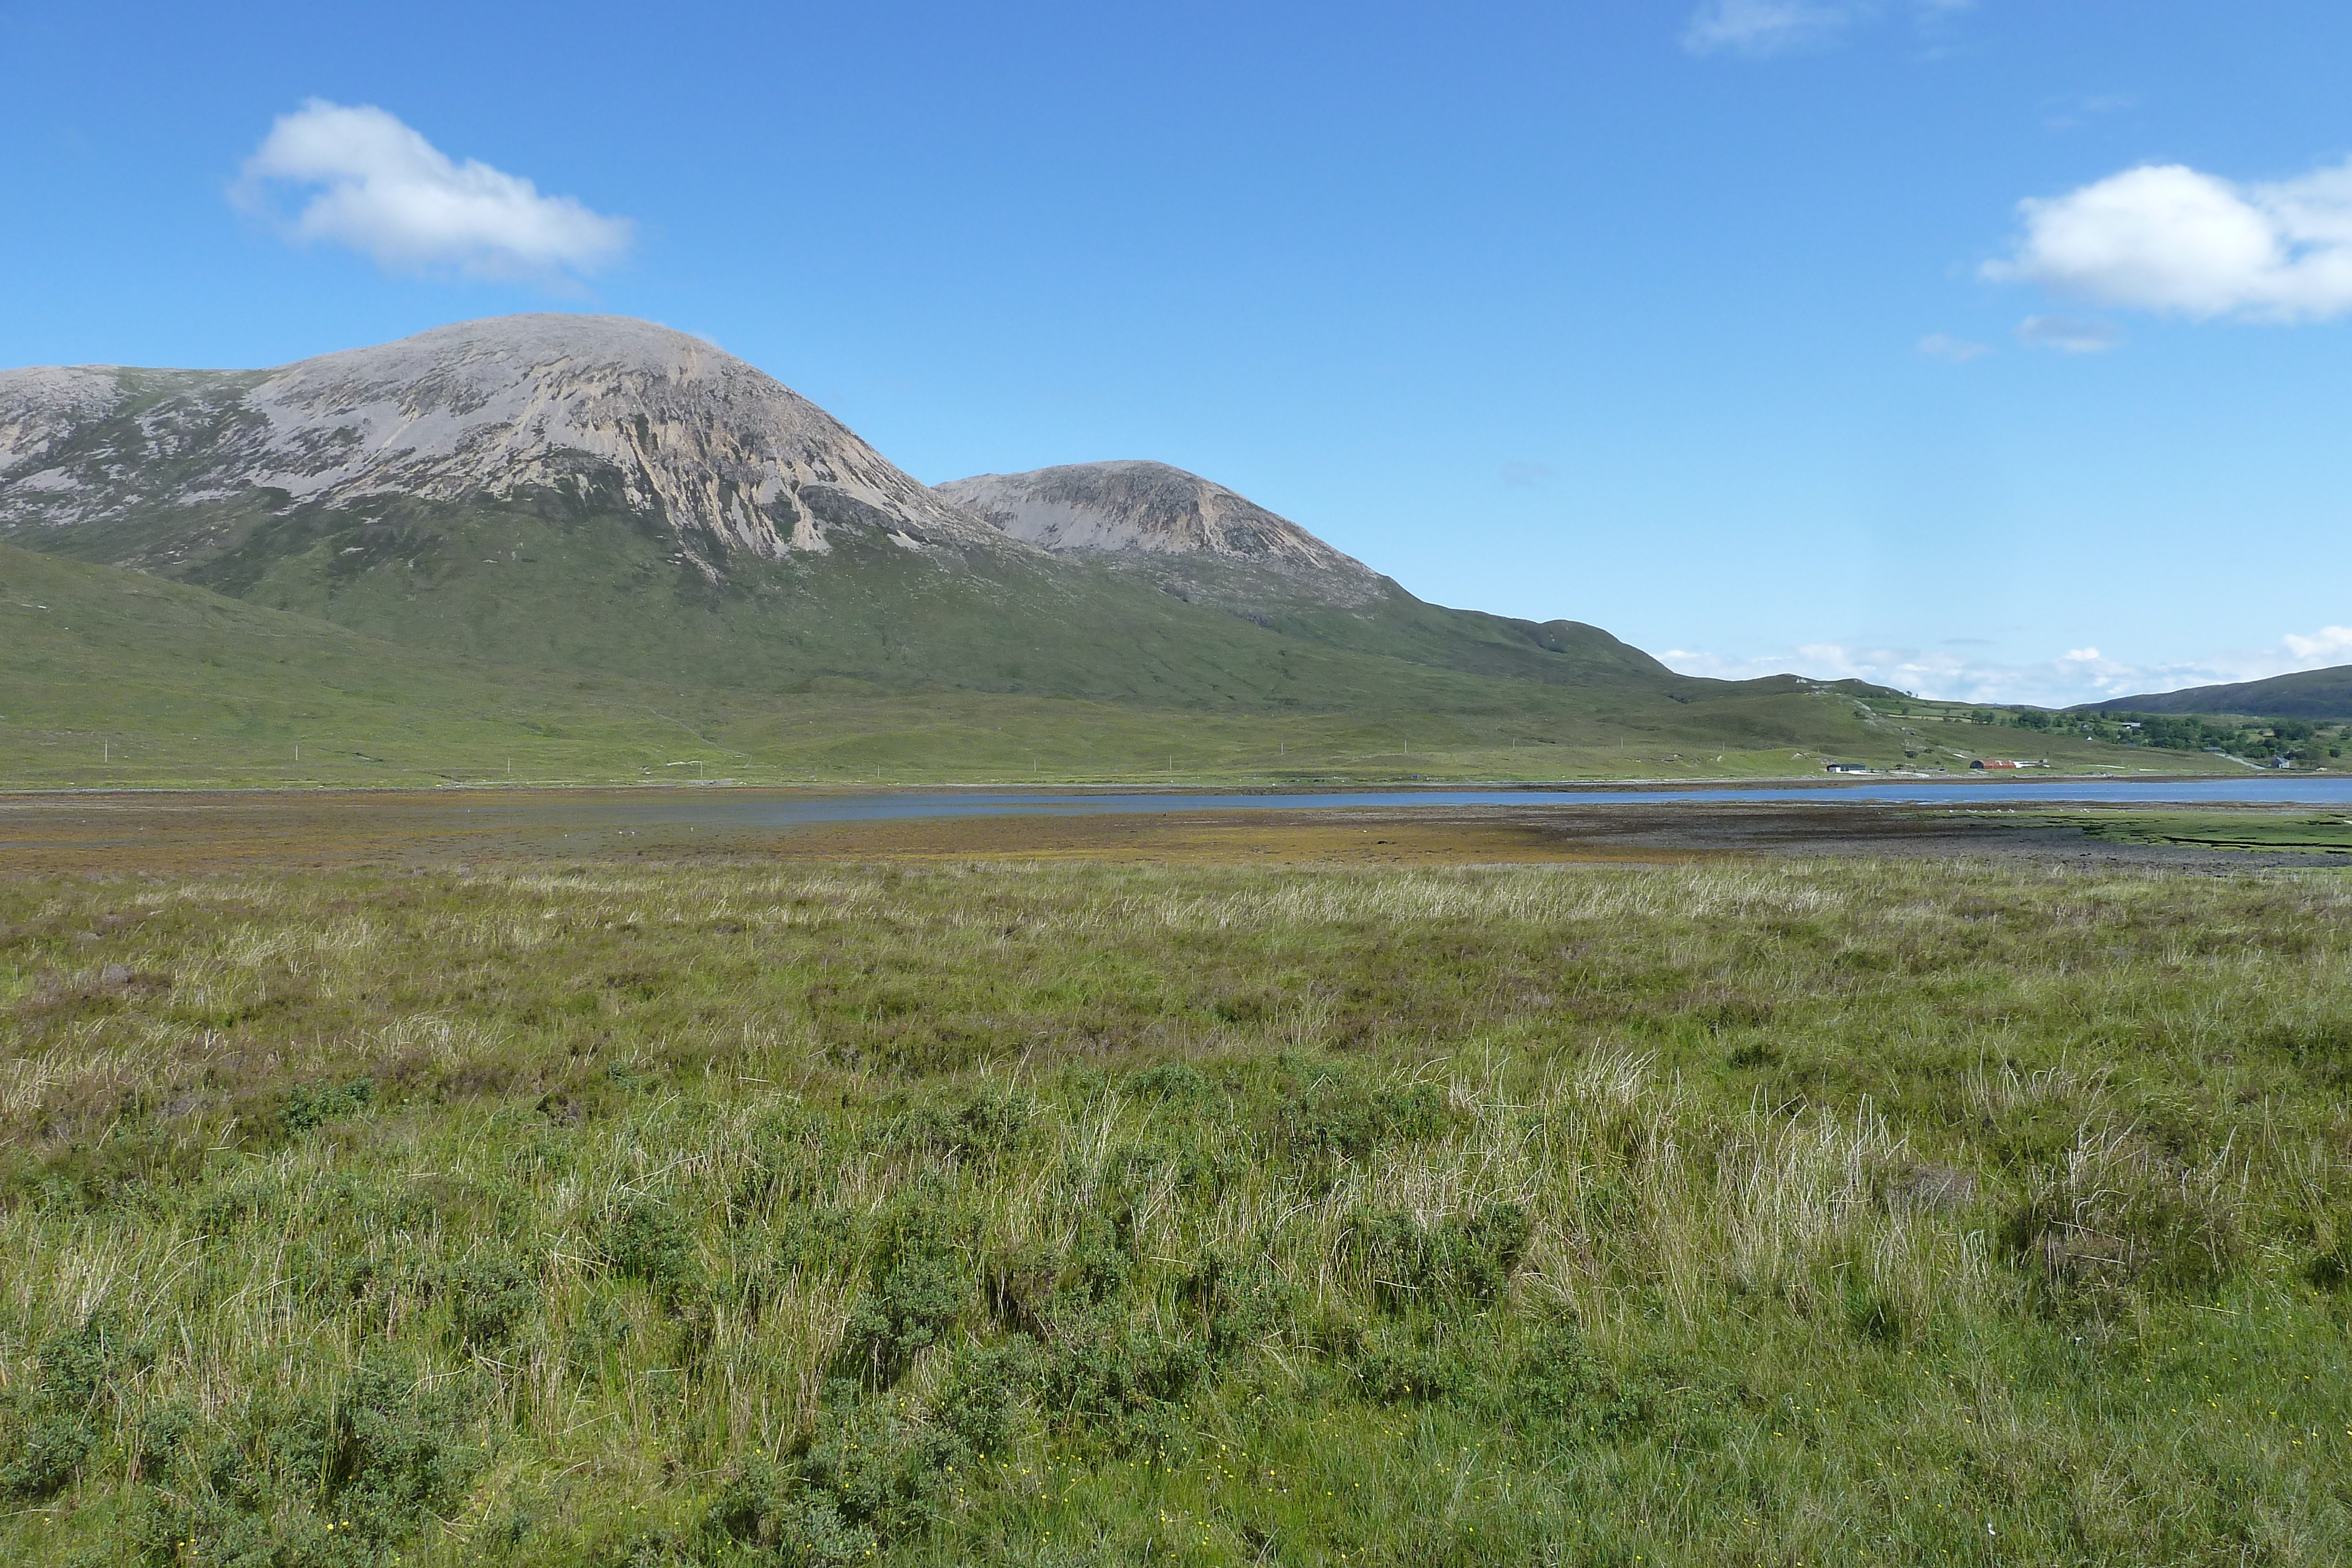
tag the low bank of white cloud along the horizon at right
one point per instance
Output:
(2080, 676)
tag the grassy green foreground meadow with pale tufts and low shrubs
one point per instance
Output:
(728, 1214)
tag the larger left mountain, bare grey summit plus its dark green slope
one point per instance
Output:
(582, 492)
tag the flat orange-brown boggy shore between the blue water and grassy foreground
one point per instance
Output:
(159, 833)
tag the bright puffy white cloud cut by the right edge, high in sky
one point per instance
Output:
(2186, 243)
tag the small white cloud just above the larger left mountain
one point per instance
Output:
(366, 180)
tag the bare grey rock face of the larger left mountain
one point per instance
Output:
(726, 455)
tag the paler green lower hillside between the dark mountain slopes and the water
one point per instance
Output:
(116, 678)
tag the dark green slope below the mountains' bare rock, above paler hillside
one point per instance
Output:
(566, 584)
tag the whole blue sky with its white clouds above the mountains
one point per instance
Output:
(1989, 349)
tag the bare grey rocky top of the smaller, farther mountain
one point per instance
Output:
(1158, 511)
